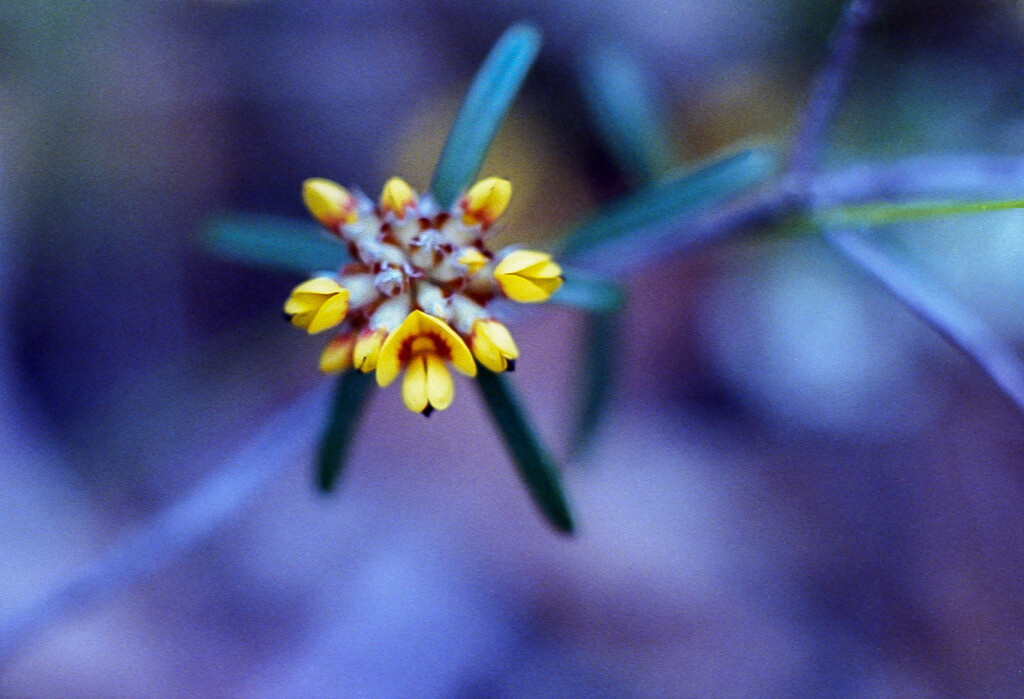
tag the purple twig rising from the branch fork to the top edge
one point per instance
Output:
(829, 86)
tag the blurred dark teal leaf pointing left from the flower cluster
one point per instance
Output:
(274, 243)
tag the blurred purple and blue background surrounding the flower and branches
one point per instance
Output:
(799, 491)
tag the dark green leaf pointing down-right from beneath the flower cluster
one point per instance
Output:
(535, 465)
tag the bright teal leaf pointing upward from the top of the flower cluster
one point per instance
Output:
(490, 98)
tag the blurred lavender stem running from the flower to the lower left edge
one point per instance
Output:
(230, 488)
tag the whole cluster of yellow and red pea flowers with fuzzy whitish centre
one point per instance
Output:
(416, 295)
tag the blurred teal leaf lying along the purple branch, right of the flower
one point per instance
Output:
(679, 194)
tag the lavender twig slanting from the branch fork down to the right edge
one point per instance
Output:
(951, 320)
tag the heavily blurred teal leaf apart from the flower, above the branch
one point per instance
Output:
(626, 113)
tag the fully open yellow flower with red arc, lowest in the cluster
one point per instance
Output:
(421, 345)
